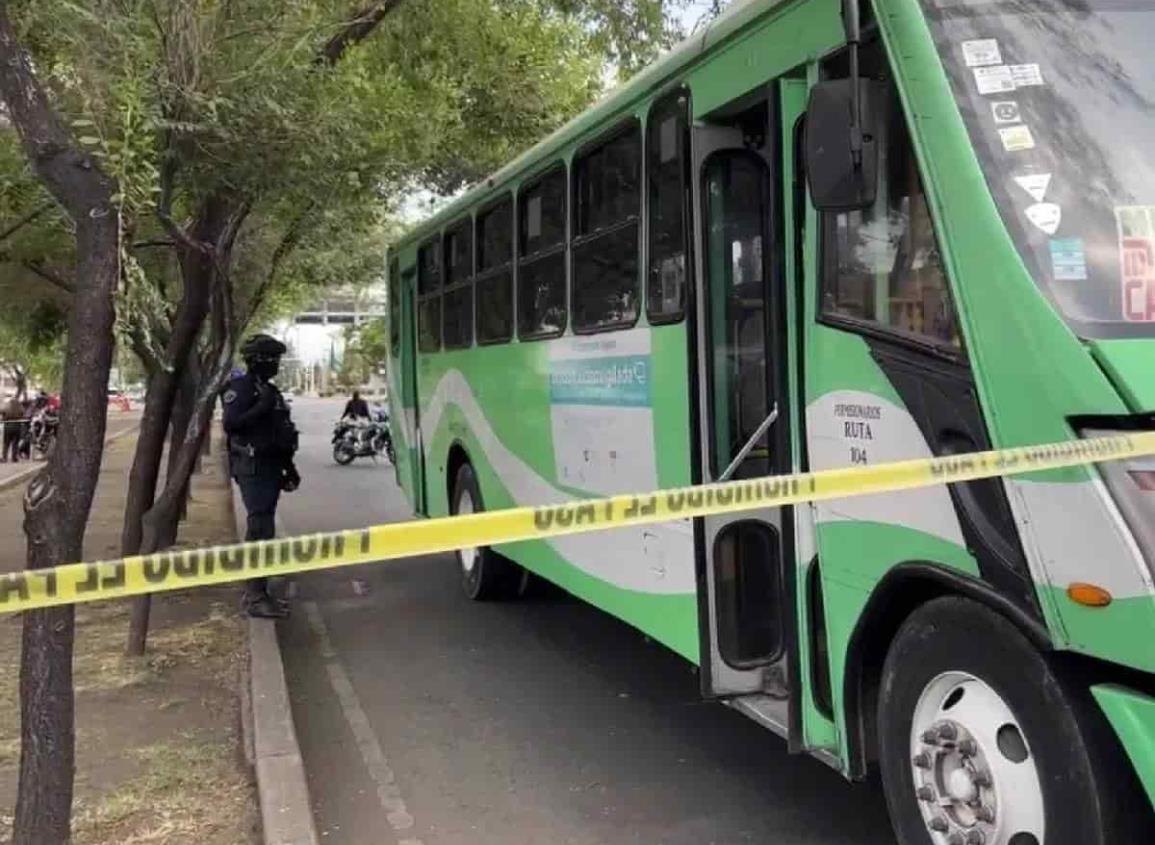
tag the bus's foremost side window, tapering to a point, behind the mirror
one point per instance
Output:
(882, 266)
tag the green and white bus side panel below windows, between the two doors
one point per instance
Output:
(603, 397)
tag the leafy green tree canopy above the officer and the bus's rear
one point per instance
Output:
(187, 100)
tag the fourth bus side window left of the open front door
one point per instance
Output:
(495, 274)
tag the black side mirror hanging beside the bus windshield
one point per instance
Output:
(838, 183)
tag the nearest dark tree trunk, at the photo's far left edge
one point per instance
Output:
(58, 502)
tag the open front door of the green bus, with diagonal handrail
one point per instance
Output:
(742, 410)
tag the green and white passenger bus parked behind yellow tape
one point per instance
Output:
(815, 237)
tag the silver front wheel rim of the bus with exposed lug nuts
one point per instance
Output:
(975, 777)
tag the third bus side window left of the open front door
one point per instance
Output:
(542, 268)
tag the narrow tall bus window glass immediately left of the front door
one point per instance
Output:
(666, 156)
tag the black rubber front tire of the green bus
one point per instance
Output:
(1084, 780)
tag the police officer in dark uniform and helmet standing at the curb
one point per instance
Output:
(263, 442)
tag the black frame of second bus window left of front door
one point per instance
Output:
(624, 128)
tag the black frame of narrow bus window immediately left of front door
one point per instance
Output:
(688, 206)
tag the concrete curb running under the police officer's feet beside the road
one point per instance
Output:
(287, 813)
